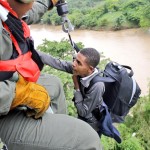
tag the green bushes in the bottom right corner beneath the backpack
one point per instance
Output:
(135, 130)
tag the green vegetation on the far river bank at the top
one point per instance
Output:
(104, 14)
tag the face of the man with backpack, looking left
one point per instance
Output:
(80, 66)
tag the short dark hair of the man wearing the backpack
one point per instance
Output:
(92, 56)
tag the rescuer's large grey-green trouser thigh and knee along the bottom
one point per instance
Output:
(59, 132)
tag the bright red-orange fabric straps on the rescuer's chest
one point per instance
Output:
(23, 64)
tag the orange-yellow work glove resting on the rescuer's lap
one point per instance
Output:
(33, 96)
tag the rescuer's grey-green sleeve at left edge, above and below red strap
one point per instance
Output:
(7, 87)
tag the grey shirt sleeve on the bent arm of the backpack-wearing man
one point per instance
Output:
(86, 103)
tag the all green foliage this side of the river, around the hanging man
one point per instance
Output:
(136, 128)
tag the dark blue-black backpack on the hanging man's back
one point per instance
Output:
(121, 89)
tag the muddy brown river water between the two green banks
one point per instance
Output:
(128, 47)
